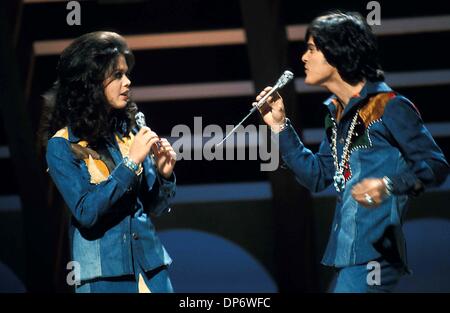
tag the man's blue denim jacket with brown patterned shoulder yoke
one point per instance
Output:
(390, 140)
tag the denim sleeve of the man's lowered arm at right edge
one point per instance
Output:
(427, 164)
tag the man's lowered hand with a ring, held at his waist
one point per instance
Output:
(370, 192)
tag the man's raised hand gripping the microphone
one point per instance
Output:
(273, 109)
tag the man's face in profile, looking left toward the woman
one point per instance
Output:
(317, 69)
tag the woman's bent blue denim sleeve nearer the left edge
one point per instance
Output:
(86, 202)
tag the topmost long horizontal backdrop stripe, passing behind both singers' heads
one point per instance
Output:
(237, 36)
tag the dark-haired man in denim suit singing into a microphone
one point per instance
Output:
(376, 151)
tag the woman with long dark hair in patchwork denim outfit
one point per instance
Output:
(111, 176)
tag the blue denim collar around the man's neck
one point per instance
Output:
(370, 88)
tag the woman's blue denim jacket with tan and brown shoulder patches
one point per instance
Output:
(110, 206)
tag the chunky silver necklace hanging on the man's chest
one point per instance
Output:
(339, 178)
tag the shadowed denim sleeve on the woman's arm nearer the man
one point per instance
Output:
(157, 192)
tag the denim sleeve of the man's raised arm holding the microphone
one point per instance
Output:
(314, 171)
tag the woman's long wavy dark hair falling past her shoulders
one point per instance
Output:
(77, 98)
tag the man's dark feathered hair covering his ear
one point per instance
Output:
(348, 43)
